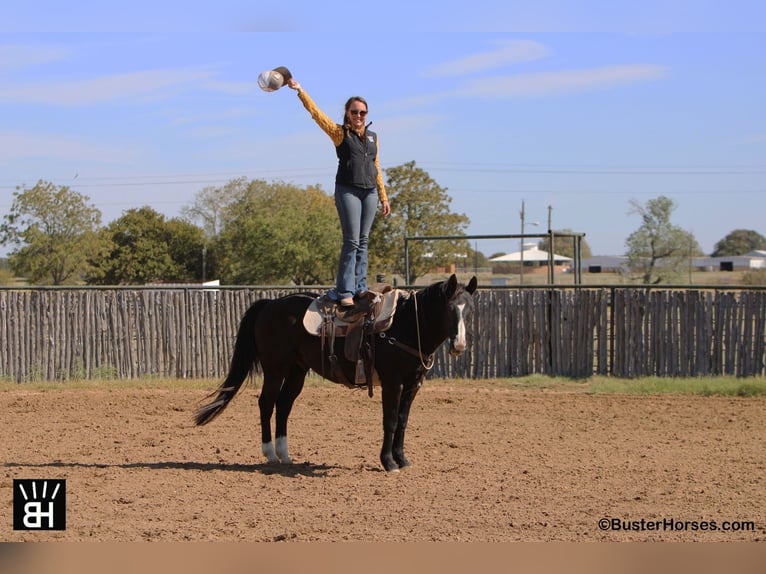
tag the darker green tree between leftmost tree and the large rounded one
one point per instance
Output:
(144, 247)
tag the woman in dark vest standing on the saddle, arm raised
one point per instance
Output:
(358, 187)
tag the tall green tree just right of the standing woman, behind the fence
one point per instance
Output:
(419, 208)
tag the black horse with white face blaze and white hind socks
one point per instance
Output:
(272, 333)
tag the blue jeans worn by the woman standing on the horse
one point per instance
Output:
(356, 211)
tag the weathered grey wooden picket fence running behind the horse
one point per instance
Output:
(60, 334)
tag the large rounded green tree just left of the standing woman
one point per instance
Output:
(279, 233)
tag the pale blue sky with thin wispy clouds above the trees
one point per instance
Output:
(579, 106)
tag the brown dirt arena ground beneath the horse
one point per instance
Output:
(491, 463)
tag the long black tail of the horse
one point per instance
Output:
(243, 362)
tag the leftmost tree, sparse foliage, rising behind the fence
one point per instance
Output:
(55, 230)
